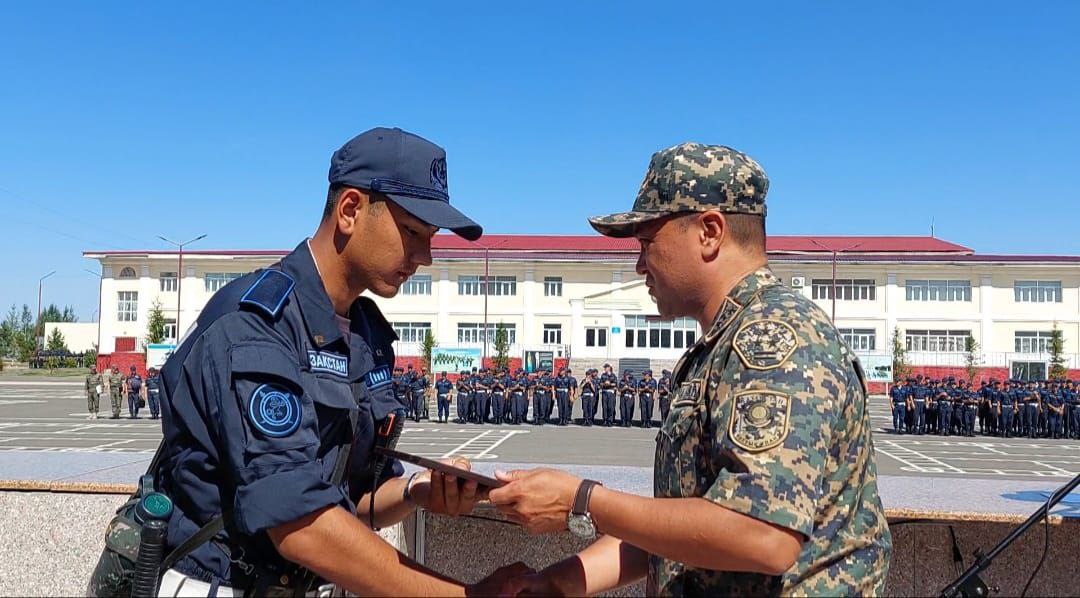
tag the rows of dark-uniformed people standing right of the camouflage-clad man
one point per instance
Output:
(1014, 409)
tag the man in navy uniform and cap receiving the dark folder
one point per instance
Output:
(279, 388)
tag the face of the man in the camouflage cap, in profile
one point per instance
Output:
(667, 260)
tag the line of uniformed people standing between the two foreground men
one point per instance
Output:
(497, 397)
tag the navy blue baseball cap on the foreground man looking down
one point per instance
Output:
(408, 169)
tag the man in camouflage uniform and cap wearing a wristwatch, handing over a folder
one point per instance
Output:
(765, 480)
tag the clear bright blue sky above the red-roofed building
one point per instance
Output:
(121, 123)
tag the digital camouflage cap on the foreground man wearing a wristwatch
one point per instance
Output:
(693, 178)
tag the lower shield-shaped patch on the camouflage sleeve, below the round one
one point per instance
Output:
(760, 419)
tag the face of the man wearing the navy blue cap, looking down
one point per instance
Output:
(388, 248)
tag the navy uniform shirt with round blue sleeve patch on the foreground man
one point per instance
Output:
(256, 411)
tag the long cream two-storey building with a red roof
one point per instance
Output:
(580, 297)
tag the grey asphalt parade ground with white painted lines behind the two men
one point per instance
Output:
(50, 417)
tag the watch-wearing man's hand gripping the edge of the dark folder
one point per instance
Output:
(539, 500)
